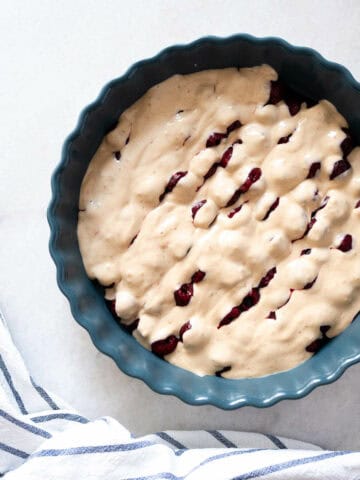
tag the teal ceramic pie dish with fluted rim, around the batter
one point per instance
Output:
(305, 71)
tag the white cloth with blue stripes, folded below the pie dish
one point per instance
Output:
(41, 437)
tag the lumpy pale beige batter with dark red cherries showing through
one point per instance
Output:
(224, 225)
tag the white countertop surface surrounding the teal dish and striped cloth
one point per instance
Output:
(55, 58)
